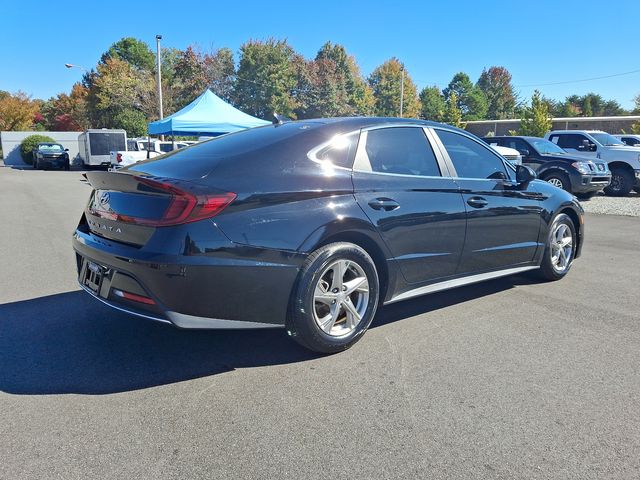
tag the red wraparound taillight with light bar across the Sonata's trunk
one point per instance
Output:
(184, 207)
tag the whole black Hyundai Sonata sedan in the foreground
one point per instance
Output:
(311, 225)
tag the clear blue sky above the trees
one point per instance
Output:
(539, 42)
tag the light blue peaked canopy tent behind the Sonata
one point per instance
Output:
(206, 115)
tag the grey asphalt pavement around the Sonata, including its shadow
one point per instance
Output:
(506, 379)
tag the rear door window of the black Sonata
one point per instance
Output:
(401, 150)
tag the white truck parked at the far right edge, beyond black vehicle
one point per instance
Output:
(623, 161)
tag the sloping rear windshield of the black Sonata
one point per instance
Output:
(200, 159)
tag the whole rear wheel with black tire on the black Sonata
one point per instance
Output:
(335, 299)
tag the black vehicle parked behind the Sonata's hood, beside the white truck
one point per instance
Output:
(581, 176)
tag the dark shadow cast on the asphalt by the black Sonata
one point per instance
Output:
(70, 343)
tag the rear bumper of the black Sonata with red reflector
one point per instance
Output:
(229, 287)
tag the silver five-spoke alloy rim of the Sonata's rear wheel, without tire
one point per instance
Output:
(340, 298)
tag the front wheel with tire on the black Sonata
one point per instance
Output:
(560, 249)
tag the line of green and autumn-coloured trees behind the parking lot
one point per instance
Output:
(270, 76)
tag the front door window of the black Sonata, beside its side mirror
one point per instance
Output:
(470, 158)
